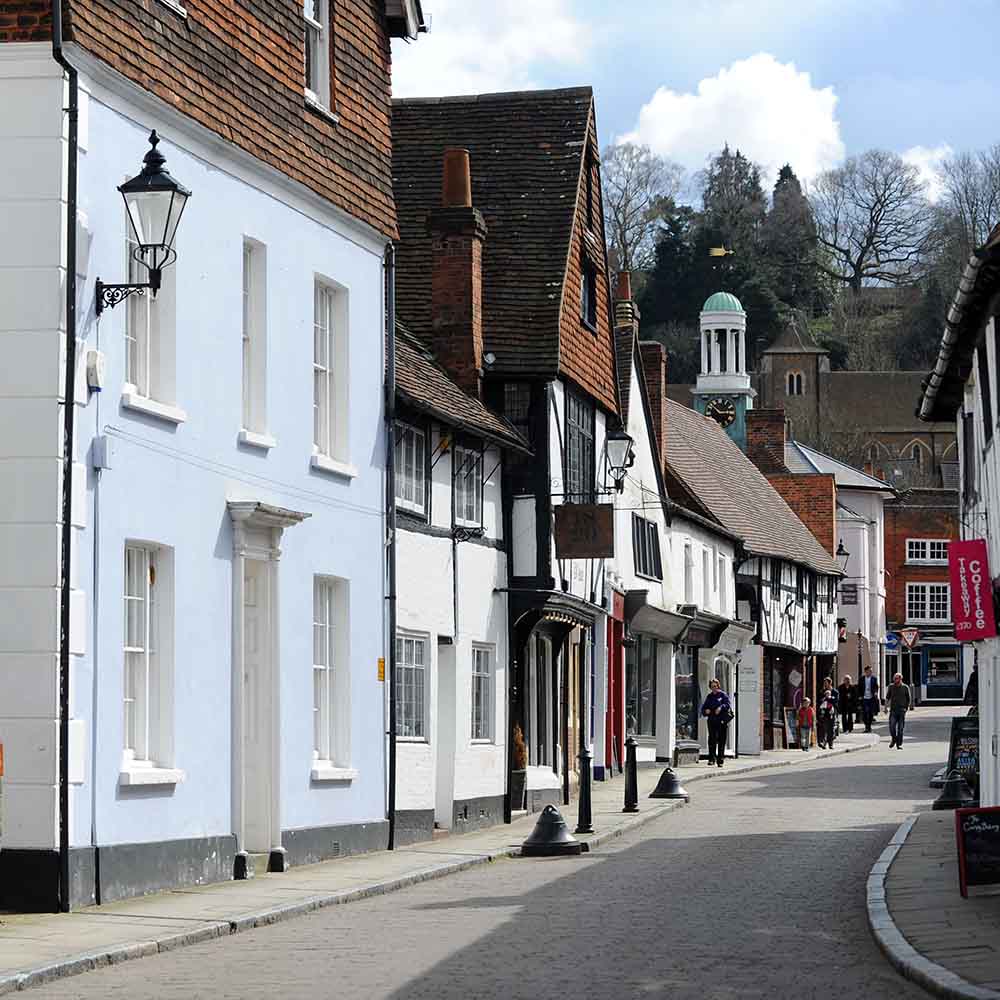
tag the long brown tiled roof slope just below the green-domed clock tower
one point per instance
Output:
(703, 457)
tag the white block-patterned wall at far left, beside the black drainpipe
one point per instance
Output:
(32, 342)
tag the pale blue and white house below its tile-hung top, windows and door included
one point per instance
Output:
(225, 571)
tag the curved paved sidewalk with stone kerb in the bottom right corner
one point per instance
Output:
(947, 944)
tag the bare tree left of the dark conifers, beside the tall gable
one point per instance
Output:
(637, 182)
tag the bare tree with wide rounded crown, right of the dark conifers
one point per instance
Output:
(873, 219)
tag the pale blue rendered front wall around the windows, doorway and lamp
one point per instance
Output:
(169, 483)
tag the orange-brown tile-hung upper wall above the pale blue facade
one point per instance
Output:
(239, 70)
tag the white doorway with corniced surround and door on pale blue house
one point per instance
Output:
(256, 708)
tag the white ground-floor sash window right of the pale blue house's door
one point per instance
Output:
(331, 680)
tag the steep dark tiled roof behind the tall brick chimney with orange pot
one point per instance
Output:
(526, 153)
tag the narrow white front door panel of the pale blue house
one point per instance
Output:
(257, 735)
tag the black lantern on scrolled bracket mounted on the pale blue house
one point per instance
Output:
(154, 202)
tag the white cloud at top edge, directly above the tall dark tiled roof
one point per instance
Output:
(502, 46)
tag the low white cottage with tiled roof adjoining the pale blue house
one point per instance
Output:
(451, 627)
